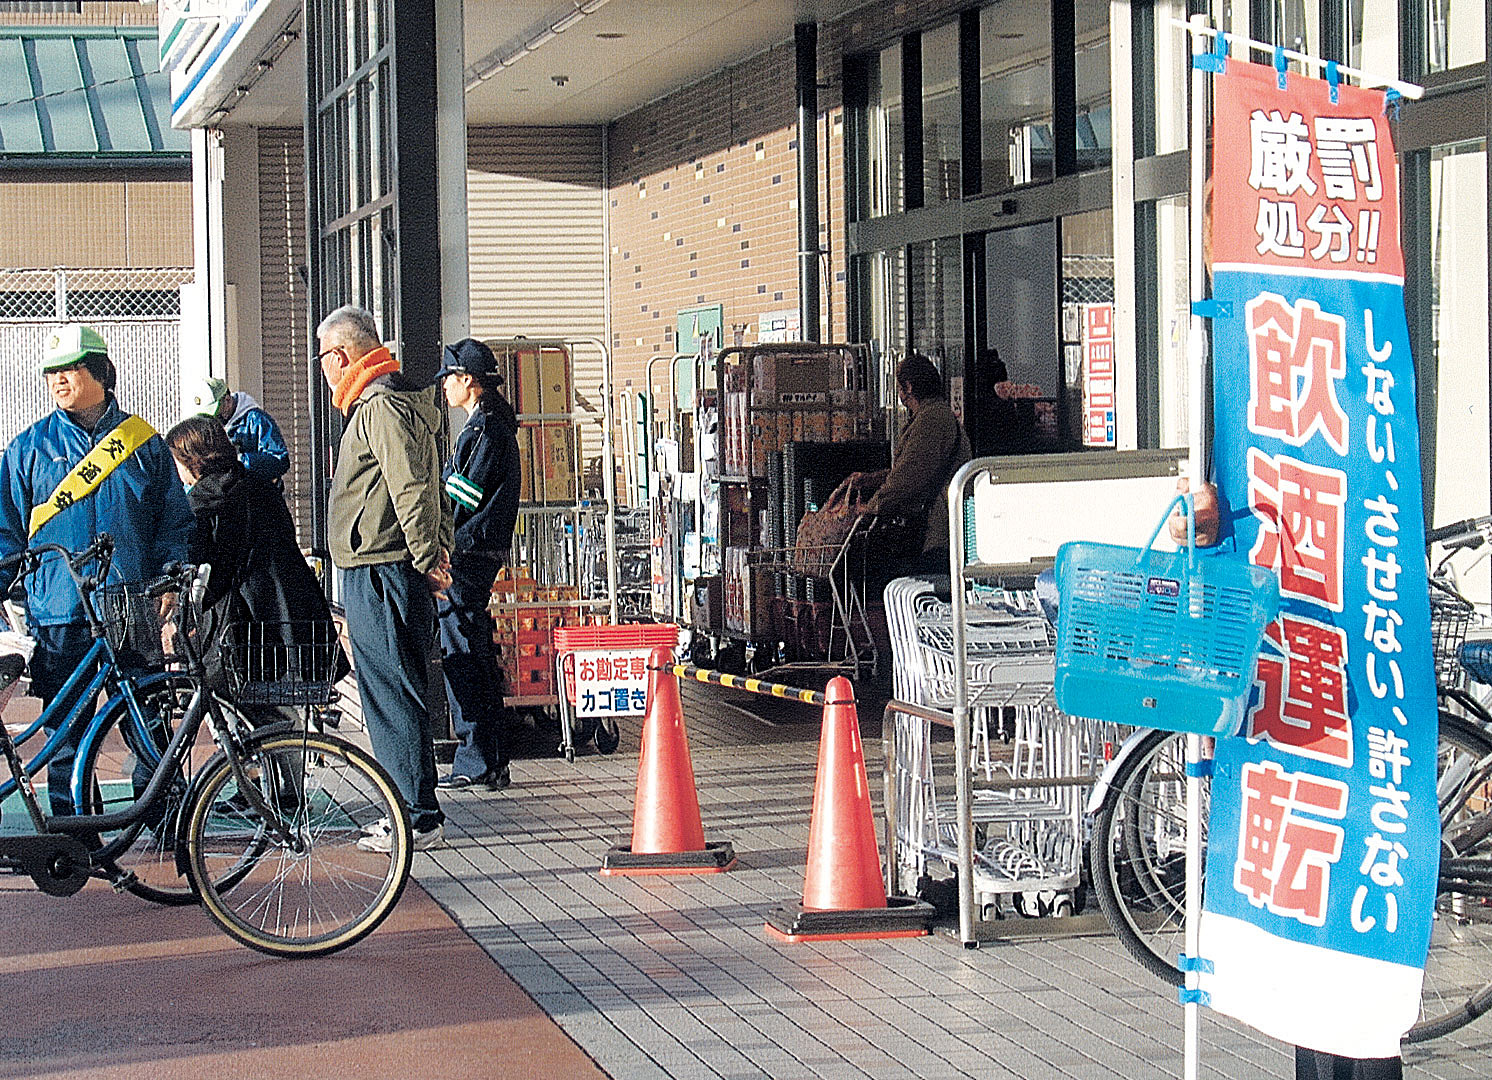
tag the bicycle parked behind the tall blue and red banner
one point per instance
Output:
(1139, 827)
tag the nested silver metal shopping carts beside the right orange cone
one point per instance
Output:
(1027, 811)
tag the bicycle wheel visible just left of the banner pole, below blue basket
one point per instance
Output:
(1139, 853)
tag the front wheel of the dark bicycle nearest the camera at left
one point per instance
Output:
(317, 891)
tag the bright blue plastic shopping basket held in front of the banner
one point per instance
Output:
(1160, 639)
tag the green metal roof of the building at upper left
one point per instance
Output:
(86, 96)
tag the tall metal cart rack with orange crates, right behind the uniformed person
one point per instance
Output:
(565, 559)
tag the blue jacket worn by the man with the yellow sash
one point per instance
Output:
(141, 505)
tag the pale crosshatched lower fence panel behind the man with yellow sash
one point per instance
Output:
(147, 353)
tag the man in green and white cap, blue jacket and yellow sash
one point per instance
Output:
(87, 468)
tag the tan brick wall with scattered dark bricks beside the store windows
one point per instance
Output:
(705, 204)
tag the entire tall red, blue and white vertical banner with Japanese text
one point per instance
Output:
(1324, 829)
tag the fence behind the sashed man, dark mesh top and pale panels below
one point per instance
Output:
(138, 313)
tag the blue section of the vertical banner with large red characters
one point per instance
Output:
(1324, 826)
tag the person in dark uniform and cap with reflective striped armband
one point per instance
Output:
(483, 481)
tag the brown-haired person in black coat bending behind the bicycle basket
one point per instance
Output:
(259, 575)
